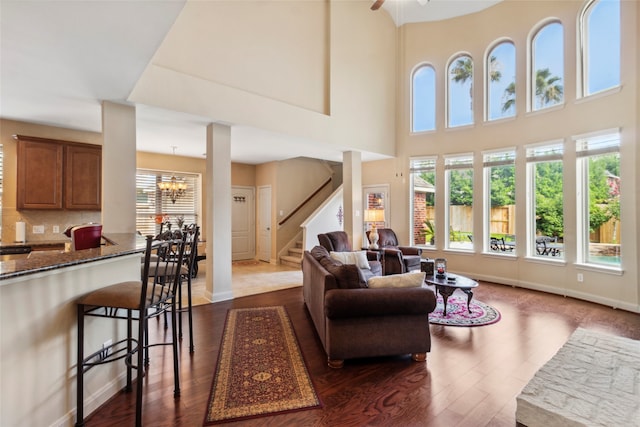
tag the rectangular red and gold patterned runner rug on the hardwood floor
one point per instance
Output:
(260, 368)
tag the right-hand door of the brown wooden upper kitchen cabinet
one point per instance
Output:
(83, 173)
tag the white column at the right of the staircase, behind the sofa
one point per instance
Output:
(352, 196)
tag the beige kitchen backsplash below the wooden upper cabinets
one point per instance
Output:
(47, 219)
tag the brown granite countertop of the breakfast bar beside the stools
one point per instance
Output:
(38, 261)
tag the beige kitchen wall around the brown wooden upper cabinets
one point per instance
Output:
(36, 217)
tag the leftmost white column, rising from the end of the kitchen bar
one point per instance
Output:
(118, 168)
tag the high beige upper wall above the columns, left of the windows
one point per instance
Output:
(327, 76)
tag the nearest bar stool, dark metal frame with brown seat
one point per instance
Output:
(148, 298)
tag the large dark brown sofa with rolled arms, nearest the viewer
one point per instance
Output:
(353, 321)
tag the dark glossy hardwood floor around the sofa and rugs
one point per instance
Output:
(471, 378)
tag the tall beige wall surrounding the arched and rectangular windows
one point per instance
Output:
(436, 43)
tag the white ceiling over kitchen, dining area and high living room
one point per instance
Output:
(59, 59)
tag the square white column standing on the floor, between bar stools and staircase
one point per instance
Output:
(218, 199)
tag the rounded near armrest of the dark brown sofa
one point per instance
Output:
(346, 303)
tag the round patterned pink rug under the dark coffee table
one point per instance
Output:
(458, 315)
